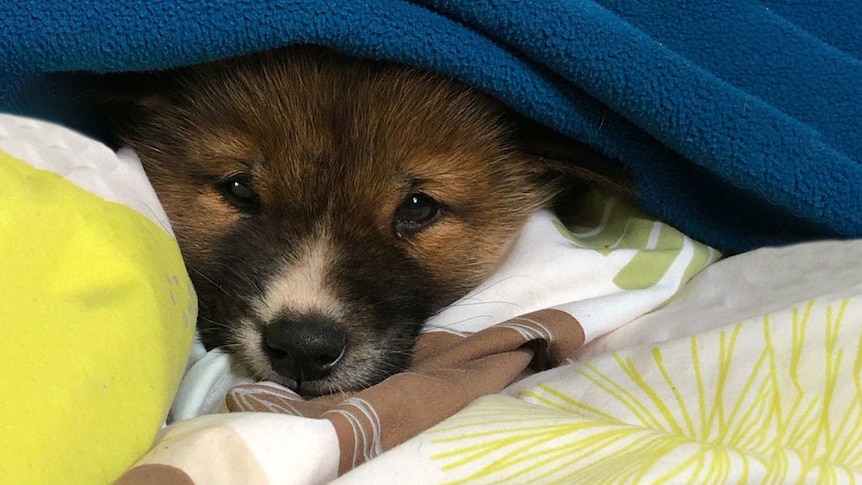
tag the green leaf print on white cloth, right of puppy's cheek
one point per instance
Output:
(607, 224)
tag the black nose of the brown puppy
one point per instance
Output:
(304, 348)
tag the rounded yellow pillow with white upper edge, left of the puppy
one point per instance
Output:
(97, 310)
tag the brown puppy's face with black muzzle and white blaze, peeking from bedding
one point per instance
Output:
(325, 206)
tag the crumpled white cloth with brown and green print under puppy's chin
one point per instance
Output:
(568, 279)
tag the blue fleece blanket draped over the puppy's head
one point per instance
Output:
(740, 120)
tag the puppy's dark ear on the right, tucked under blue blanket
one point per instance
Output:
(558, 157)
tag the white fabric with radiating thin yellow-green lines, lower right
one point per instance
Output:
(774, 399)
